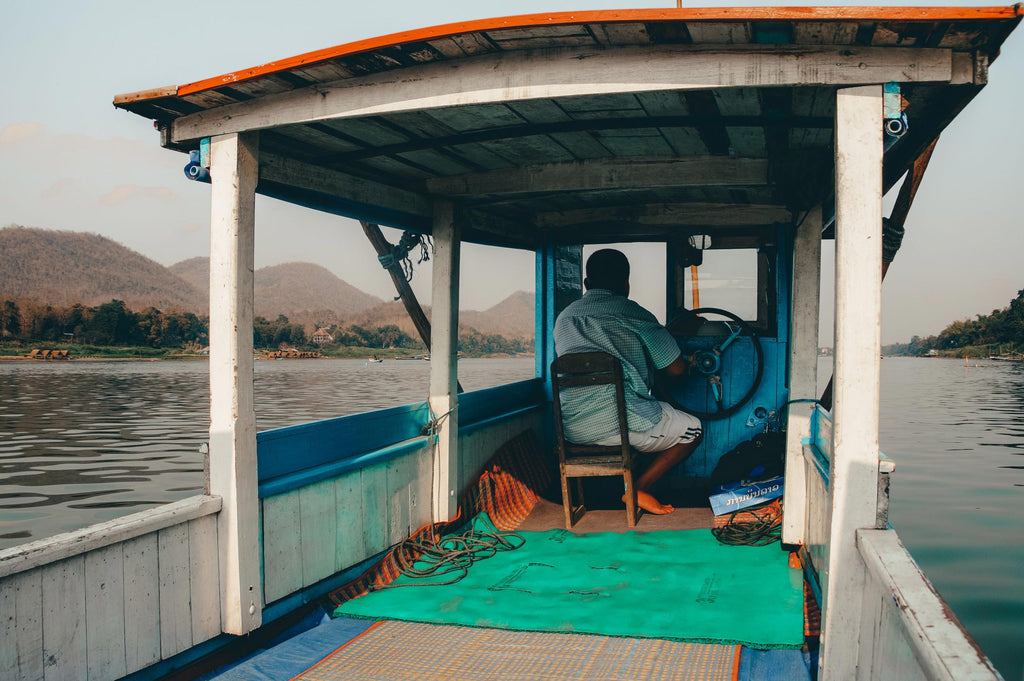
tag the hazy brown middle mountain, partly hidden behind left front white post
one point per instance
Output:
(302, 291)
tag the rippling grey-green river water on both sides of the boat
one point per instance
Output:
(87, 442)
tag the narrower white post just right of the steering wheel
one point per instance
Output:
(803, 370)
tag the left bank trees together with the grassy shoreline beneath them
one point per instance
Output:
(111, 331)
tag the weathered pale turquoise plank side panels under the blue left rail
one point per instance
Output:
(336, 524)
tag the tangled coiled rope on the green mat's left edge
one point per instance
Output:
(433, 557)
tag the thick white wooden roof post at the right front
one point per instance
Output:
(855, 467)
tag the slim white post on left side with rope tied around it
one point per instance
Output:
(444, 361)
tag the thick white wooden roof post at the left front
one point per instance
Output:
(234, 171)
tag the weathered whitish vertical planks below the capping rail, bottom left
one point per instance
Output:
(115, 610)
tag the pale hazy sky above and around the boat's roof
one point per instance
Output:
(70, 161)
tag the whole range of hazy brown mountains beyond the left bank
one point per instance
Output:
(67, 268)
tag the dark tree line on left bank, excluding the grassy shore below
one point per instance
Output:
(113, 324)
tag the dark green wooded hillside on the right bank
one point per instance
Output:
(1002, 331)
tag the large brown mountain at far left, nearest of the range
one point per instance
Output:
(67, 268)
